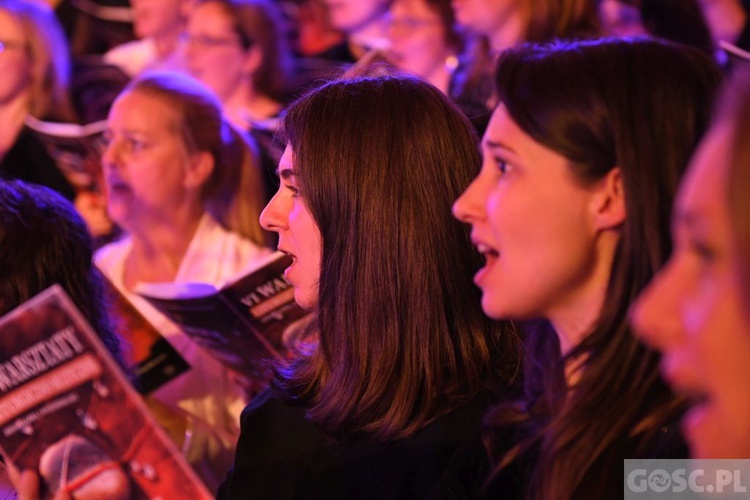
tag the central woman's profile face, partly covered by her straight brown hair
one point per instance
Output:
(299, 237)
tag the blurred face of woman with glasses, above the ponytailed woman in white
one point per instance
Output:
(214, 51)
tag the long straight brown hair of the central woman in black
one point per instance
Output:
(402, 337)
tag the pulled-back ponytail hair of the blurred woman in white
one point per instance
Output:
(234, 193)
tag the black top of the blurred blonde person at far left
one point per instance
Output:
(29, 161)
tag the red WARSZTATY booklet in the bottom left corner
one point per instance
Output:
(68, 411)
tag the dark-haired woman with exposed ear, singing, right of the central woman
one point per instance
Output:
(571, 210)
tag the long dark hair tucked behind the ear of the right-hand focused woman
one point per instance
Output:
(642, 106)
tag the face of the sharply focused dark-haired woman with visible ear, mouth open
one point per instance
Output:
(533, 223)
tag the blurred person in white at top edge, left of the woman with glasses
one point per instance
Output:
(158, 25)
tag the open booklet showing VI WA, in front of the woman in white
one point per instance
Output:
(243, 323)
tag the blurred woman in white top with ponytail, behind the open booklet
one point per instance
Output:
(177, 181)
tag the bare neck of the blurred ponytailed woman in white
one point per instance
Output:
(158, 249)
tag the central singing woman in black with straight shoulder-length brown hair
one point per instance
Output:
(401, 362)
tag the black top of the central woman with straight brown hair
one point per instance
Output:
(281, 455)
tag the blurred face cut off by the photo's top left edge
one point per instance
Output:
(15, 64)
